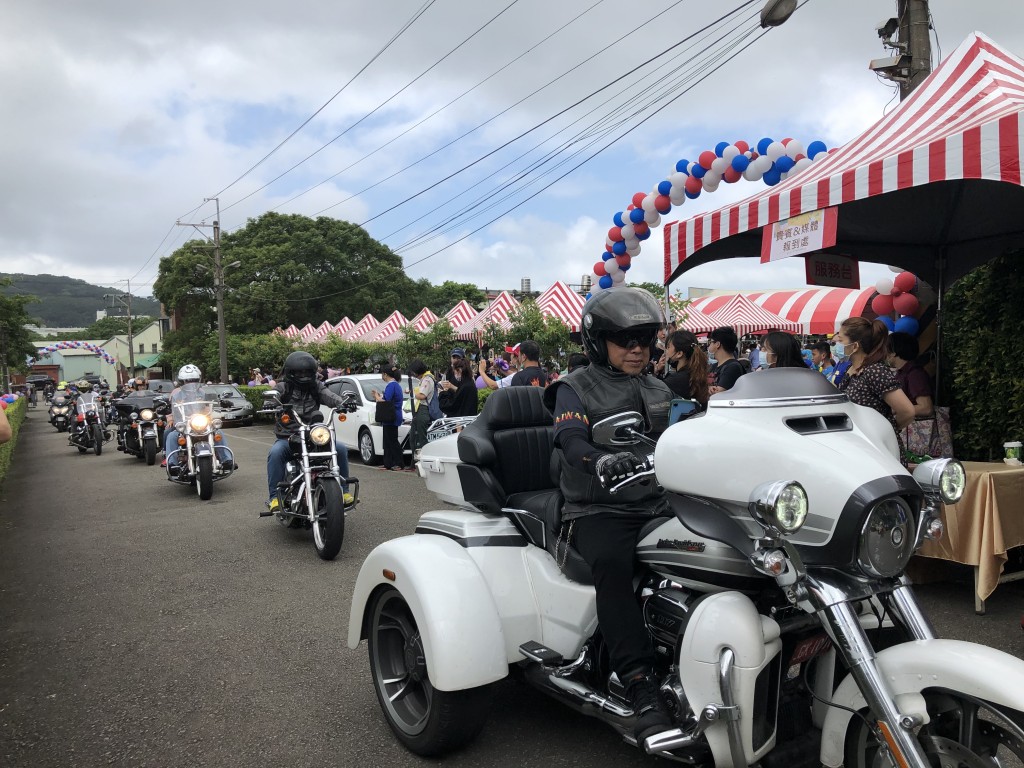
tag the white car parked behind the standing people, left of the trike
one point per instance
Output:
(360, 432)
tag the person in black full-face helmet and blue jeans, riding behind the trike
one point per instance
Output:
(301, 389)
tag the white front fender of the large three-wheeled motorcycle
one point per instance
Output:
(913, 667)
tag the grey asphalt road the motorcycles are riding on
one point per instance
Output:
(143, 627)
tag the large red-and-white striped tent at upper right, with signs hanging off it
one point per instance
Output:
(934, 187)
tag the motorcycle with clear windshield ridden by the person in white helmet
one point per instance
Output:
(201, 459)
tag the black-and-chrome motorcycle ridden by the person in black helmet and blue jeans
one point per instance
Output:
(312, 495)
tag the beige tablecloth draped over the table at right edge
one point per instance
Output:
(989, 521)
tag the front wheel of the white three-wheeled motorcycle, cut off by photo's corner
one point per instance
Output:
(964, 733)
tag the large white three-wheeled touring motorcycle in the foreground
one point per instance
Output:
(786, 630)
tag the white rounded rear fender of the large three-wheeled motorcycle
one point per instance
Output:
(450, 600)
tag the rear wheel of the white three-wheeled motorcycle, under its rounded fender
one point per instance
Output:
(428, 721)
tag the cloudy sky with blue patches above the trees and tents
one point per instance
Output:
(462, 135)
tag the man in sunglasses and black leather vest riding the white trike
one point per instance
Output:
(620, 330)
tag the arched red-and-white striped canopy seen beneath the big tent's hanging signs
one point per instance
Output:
(819, 311)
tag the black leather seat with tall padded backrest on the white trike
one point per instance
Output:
(507, 459)
